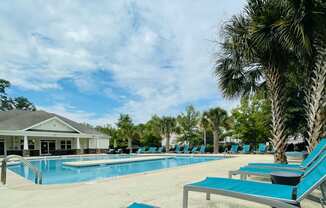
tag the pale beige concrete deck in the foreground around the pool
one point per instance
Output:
(162, 188)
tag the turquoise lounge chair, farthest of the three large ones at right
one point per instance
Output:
(305, 163)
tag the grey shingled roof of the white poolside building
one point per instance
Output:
(21, 120)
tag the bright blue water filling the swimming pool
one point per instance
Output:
(54, 172)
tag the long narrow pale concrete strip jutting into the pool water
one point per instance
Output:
(114, 161)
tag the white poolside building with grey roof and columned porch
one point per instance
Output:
(33, 133)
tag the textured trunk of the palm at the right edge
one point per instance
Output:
(315, 98)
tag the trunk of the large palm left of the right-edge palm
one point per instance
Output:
(274, 83)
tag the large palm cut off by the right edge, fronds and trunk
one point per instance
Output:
(303, 31)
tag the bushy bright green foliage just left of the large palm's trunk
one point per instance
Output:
(252, 120)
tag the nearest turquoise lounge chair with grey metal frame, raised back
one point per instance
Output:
(281, 196)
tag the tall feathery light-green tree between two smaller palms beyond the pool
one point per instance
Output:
(188, 124)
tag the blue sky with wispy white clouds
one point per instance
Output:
(92, 60)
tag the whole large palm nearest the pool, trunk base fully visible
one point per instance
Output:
(253, 59)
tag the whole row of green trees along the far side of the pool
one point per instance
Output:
(193, 127)
